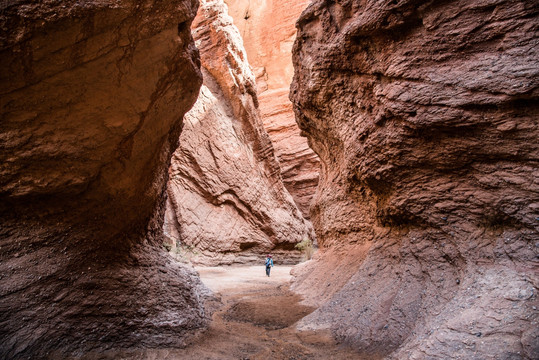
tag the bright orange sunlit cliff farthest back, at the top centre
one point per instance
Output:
(267, 28)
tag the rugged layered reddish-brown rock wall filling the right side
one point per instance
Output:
(425, 117)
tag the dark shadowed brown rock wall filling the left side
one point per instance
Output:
(92, 97)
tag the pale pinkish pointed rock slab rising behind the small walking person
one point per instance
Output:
(227, 200)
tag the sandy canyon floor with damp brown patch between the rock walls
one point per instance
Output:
(255, 319)
